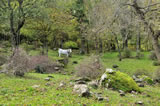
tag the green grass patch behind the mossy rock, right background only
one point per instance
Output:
(128, 66)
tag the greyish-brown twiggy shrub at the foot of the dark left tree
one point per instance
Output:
(19, 63)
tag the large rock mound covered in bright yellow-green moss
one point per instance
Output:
(121, 81)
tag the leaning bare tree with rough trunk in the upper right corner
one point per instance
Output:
(142, 13)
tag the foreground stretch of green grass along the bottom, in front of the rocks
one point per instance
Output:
(18, 91)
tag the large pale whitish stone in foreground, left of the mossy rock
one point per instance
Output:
(82, 90)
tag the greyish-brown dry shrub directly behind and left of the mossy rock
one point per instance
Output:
(90, 67)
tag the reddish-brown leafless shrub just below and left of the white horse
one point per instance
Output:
(42, 64)
